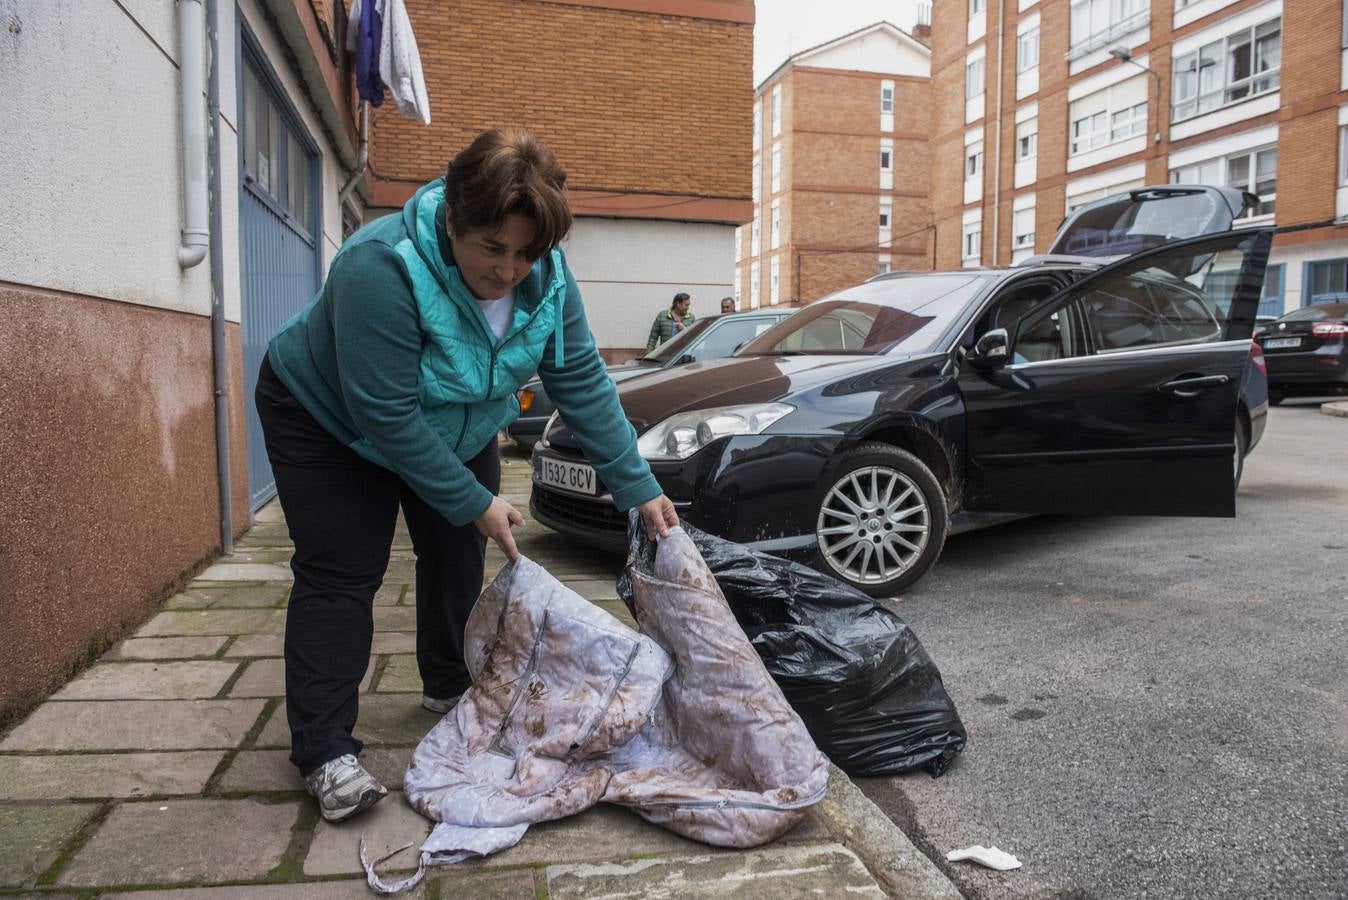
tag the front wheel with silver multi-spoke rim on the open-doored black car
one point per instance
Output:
(882, 522)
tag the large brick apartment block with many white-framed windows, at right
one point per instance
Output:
(1035, 115)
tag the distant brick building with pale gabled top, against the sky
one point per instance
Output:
(840, 170)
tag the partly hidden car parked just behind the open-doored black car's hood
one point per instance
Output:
(710, 339)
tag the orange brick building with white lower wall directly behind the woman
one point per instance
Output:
(645, 102)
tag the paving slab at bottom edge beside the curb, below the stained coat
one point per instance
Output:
(773, 874)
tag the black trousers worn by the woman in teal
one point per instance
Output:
(342, 511)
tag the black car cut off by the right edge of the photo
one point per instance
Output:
(1307, 352)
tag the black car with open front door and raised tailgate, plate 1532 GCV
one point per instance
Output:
(861, 432)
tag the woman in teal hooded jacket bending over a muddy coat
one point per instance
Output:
(389, 390)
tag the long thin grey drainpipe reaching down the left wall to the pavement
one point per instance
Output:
(219, 348)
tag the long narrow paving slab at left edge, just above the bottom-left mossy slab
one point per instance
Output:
(106, 775)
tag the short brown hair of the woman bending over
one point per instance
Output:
(503, 172)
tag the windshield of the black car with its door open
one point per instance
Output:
(907, 315)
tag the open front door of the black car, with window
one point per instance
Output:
(1120, 394)
